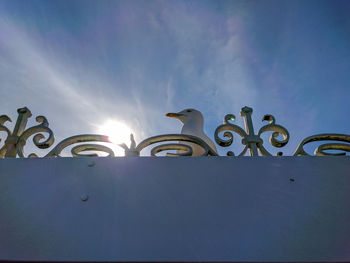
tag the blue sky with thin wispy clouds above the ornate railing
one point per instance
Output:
(80, 63)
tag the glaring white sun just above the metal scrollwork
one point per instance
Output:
(118, 132)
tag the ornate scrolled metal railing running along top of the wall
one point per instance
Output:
(15, 141)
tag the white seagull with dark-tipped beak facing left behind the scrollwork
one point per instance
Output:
(193, 123)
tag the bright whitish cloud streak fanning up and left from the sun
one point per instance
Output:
(38, 80)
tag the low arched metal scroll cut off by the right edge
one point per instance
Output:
(320, 150)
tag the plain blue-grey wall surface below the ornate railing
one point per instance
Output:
(175, 209)
